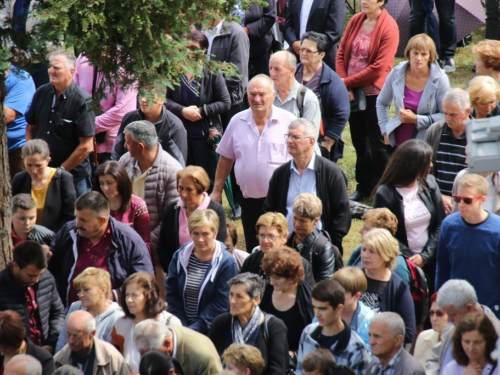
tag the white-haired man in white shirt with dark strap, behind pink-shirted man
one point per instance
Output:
(291, 95)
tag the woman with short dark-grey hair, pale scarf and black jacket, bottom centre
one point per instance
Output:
(245, 323)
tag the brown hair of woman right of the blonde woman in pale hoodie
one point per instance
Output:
(154, 303)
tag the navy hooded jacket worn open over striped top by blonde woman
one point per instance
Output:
(214, 292)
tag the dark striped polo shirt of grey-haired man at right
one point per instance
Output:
(450, 159)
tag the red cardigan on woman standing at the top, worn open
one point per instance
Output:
(383, 46)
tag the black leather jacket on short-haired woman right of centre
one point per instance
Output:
(324, 263)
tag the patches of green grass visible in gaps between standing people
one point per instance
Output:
(464, 60)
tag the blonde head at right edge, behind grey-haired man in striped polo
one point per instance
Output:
(484, 94)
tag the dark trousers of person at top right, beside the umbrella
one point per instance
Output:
(447, 27)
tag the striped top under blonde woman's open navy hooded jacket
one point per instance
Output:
(196, 271)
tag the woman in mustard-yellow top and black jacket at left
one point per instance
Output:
(52, 189)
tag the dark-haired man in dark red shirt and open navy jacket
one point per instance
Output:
(95, 239)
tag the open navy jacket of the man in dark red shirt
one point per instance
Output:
(128, 254)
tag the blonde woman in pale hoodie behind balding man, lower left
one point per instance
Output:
(94, 290)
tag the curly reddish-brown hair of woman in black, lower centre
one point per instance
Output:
(284, 262)
